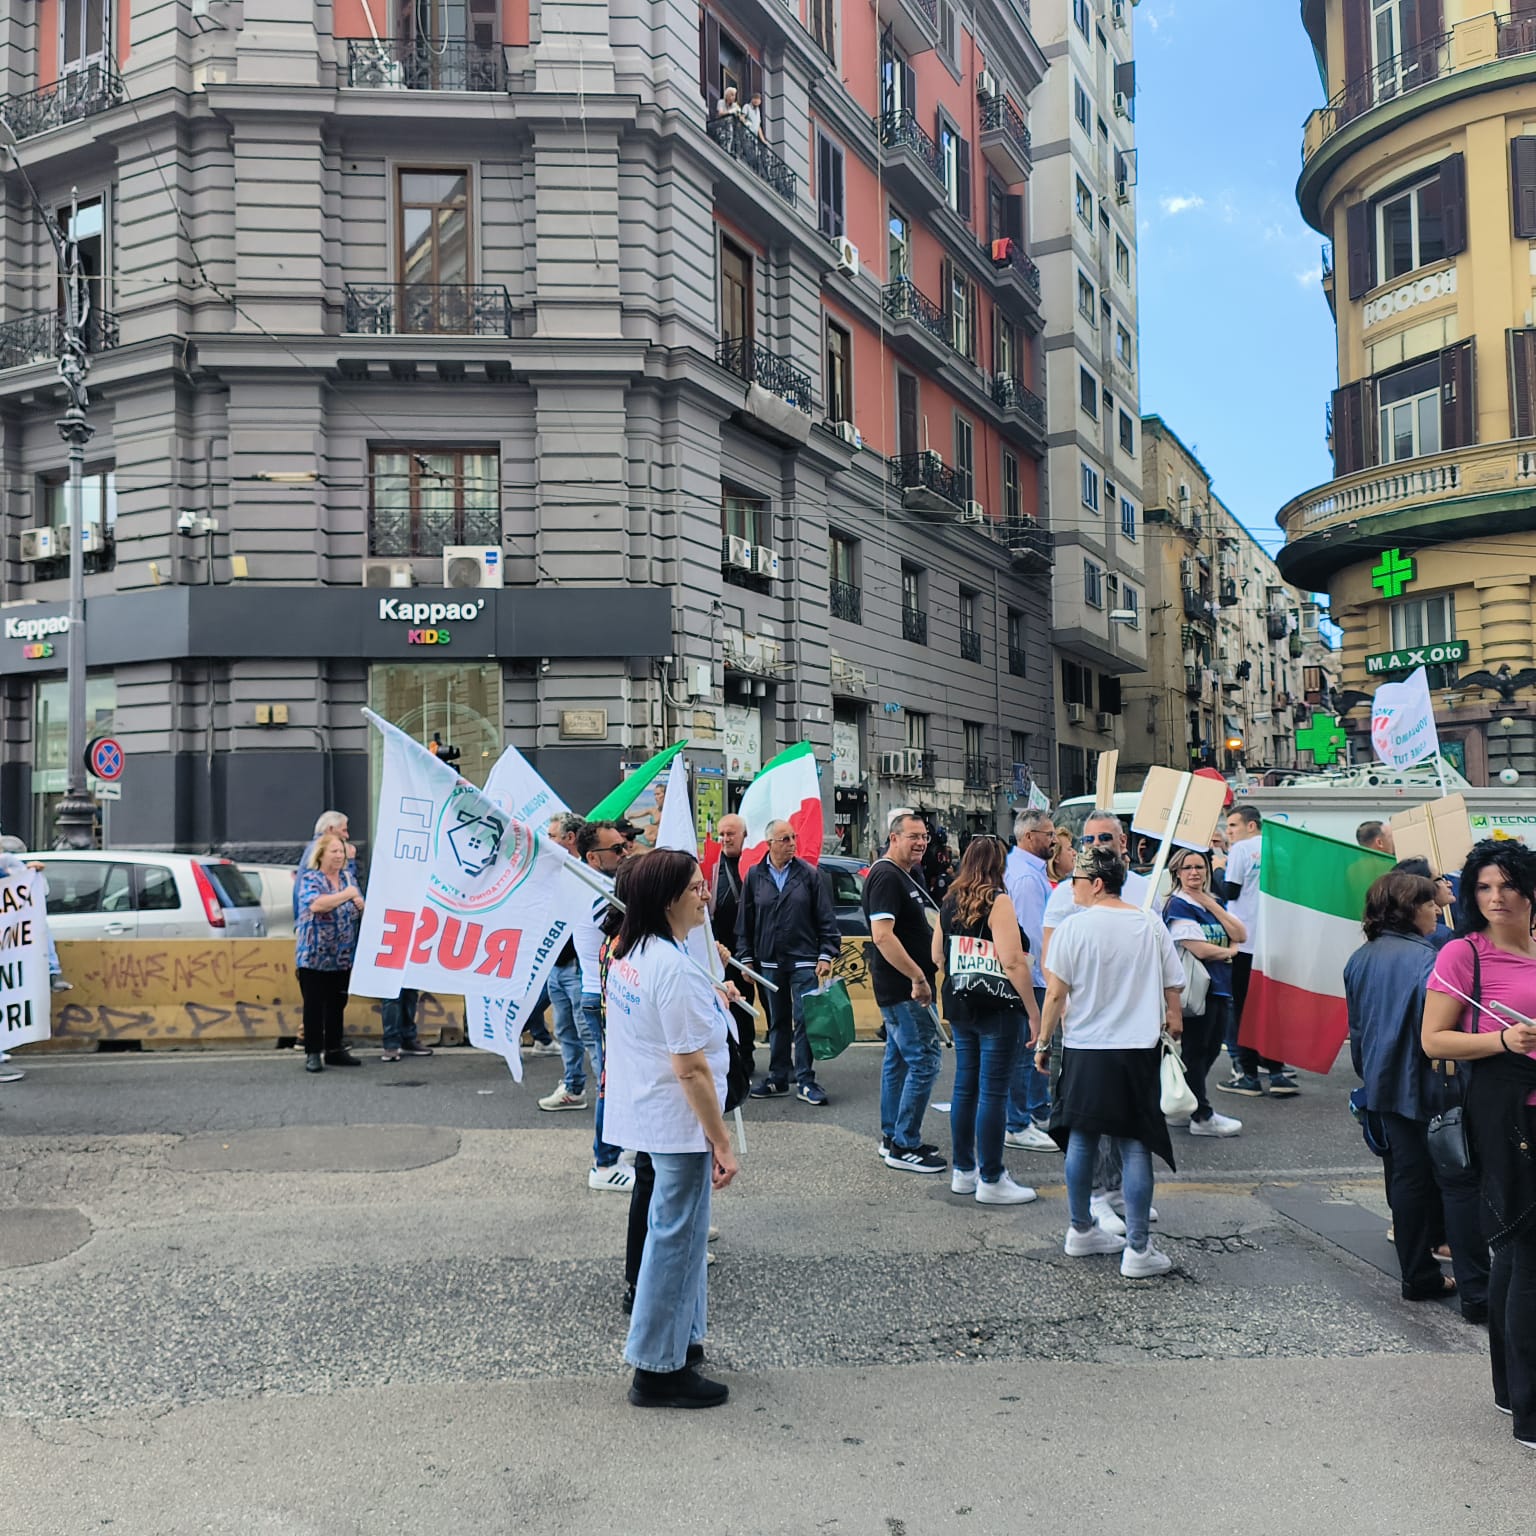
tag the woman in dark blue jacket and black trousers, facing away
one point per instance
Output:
(1385, 993)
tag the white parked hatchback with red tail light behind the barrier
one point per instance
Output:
(124, 895)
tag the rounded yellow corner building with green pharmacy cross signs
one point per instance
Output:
(1422, 174)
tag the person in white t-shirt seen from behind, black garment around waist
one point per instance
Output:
(1113, 982)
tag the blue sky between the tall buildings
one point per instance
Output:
(1237, 340)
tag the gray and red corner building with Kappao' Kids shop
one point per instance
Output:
(469, 363)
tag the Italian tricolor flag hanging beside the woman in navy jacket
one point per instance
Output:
(1313, 896)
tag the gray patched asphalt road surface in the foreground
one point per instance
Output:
(239, 1299)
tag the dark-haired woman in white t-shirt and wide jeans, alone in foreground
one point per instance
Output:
(664, 1096)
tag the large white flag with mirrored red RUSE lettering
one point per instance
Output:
(462, 898)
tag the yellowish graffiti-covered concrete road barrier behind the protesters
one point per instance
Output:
(179, 993)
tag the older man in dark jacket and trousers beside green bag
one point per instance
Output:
(787, 929)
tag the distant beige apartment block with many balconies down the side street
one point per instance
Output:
(1230, 644)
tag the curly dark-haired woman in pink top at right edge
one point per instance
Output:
(1495, 967)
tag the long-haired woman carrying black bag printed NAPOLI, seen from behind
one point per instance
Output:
(990, 1002)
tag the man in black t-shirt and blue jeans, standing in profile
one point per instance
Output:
(902, 972)
